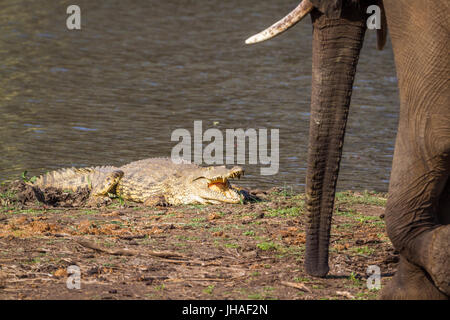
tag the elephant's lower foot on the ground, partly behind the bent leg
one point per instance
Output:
(411, 282)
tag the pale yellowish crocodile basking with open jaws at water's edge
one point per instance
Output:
(153, 181)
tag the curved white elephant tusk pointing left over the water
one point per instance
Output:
(288, 21)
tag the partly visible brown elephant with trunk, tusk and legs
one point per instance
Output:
(418, 207)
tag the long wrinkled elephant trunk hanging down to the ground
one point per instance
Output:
(336, 47)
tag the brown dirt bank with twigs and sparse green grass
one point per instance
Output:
(124, 250)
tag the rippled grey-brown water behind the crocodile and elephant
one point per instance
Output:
(114, 91)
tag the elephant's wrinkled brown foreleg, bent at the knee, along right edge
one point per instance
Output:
(417, 212)
